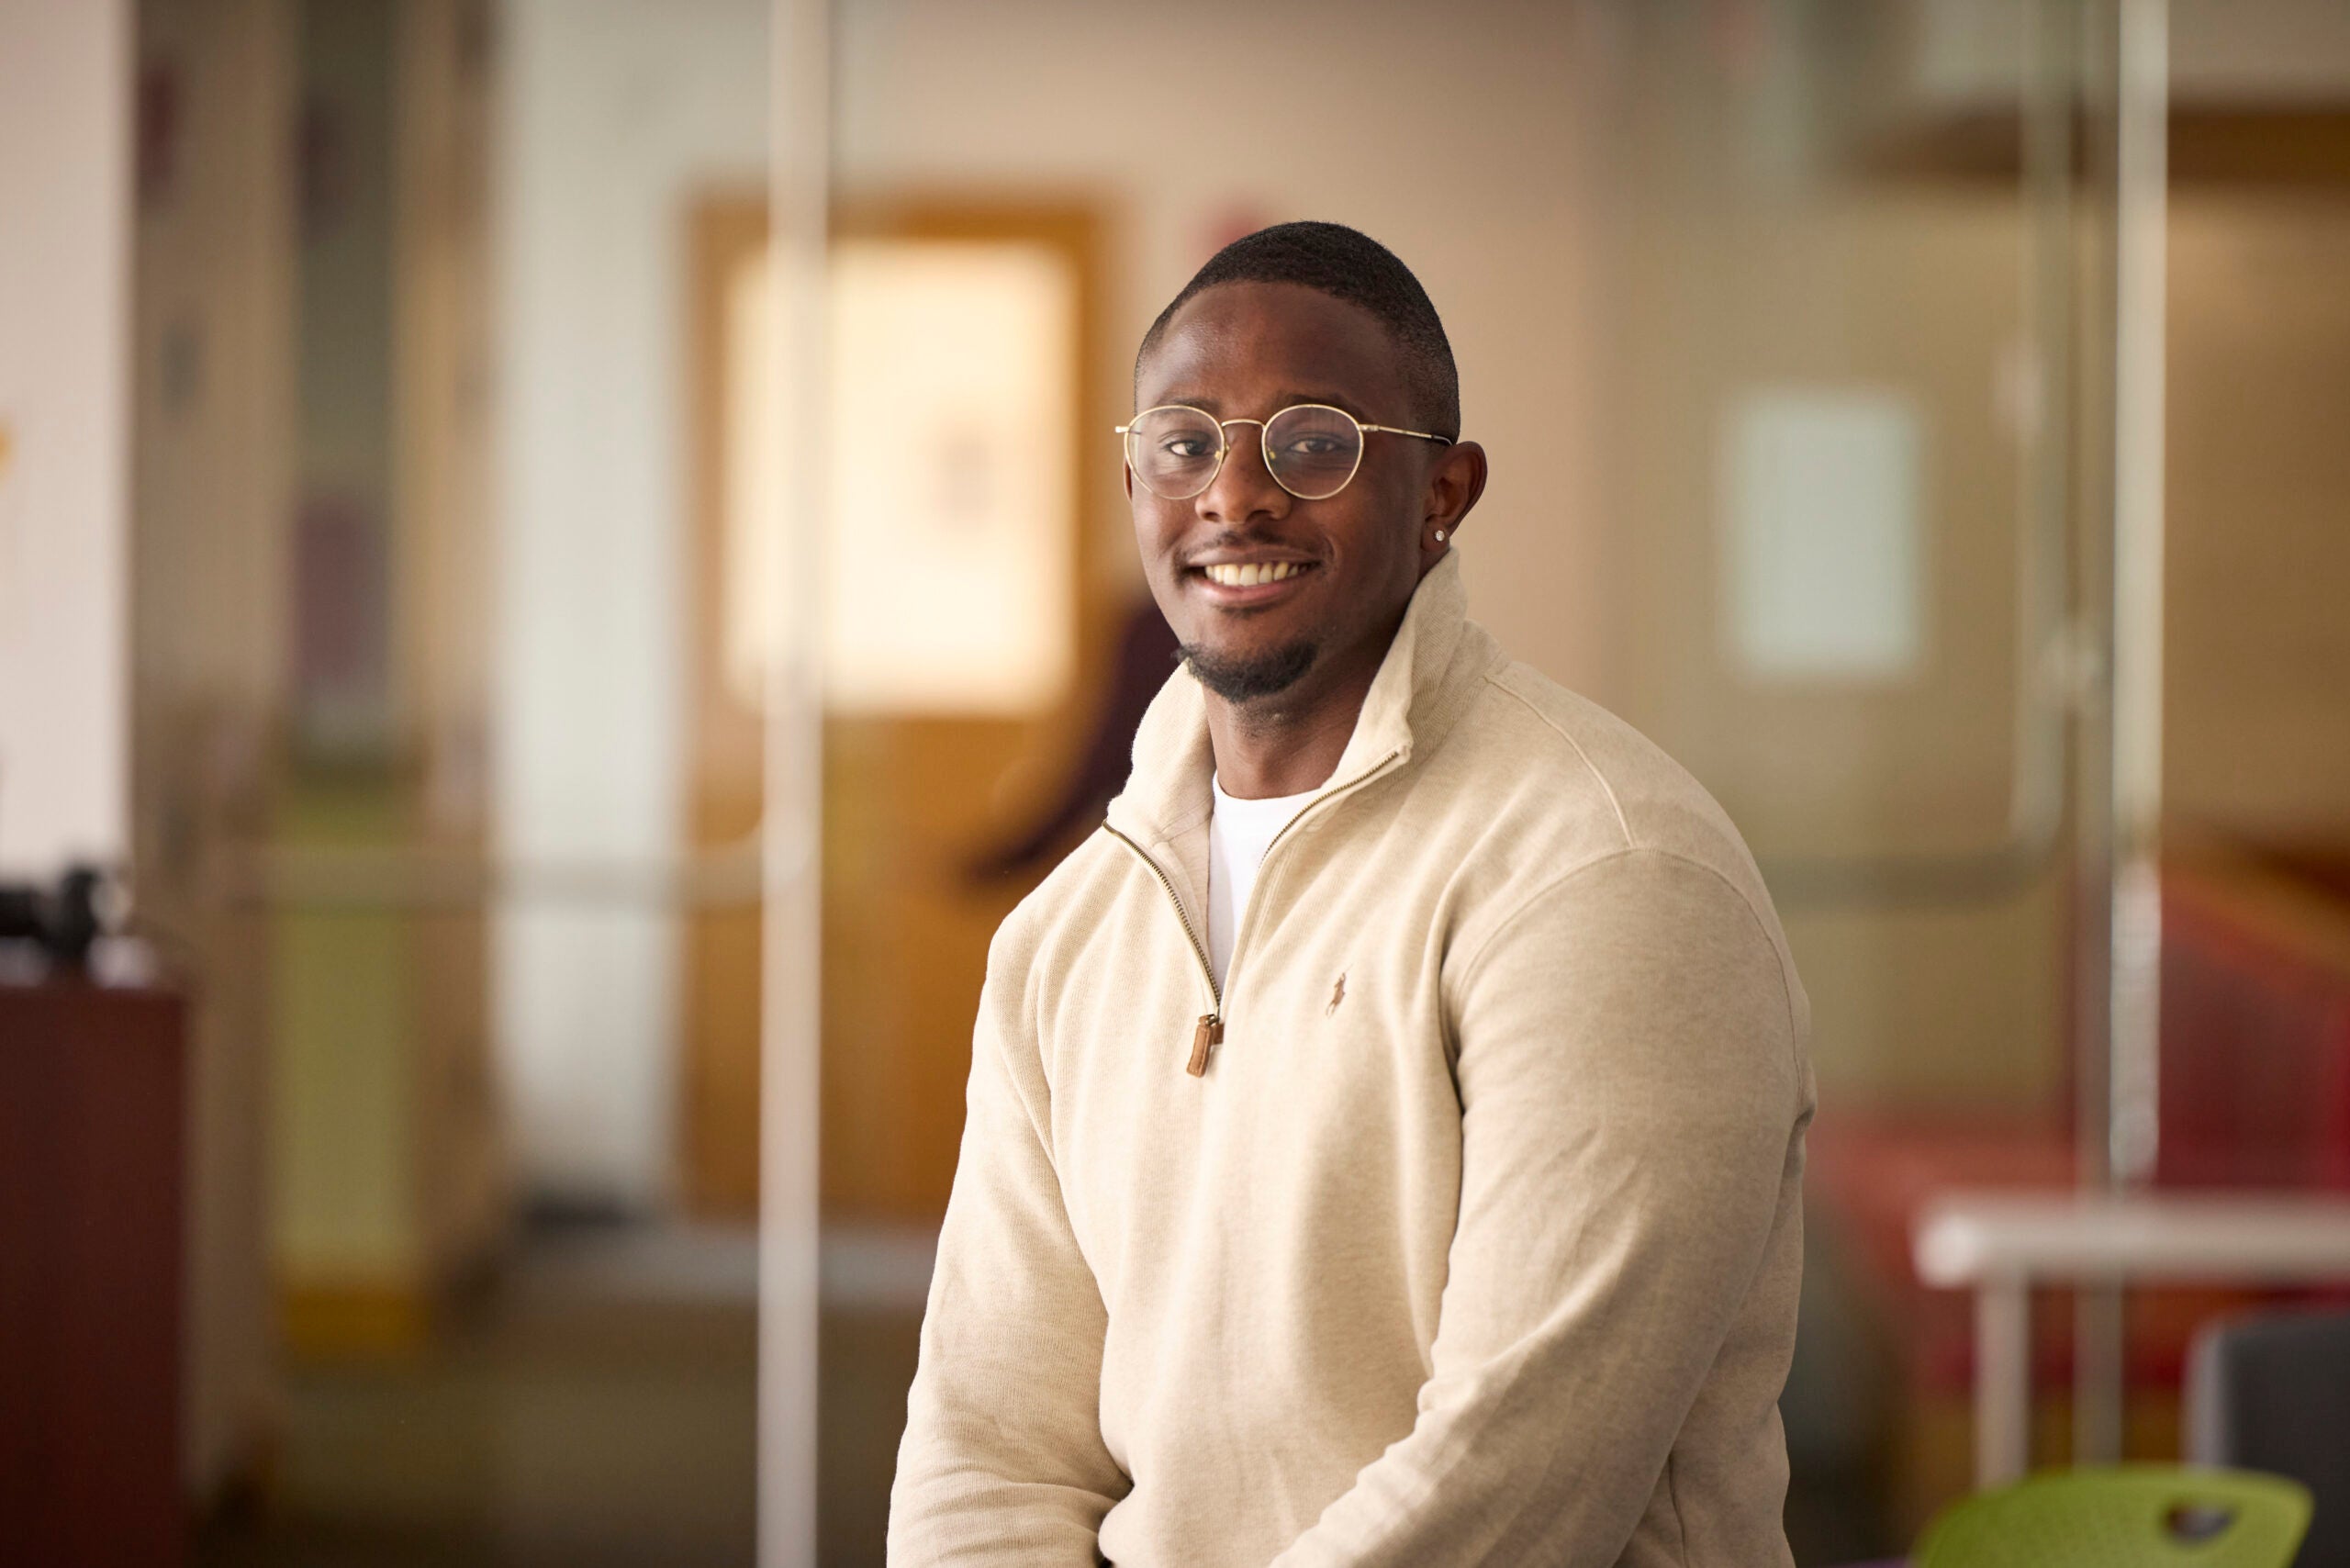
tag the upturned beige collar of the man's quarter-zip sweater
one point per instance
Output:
(1411, 697)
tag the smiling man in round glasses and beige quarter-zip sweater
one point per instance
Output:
(1385, 1134)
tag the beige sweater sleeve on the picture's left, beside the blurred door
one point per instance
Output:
(1002, 1456)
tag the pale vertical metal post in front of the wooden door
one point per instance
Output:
(788, 977)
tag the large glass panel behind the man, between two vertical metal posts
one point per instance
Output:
(1764, 316)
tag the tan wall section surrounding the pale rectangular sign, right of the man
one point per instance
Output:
(1919, 290)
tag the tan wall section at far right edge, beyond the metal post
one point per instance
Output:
(2257, 718)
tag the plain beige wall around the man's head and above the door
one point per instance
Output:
(1451, 140)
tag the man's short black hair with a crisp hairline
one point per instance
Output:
(1357, 269)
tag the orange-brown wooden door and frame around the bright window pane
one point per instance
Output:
(915, 796)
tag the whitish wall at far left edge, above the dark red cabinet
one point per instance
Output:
(65, 323)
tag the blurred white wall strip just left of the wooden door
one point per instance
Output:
(617, 116)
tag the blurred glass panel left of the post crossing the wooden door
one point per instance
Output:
(427, 805)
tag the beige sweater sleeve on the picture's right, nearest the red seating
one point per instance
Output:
(1630, 1094)
